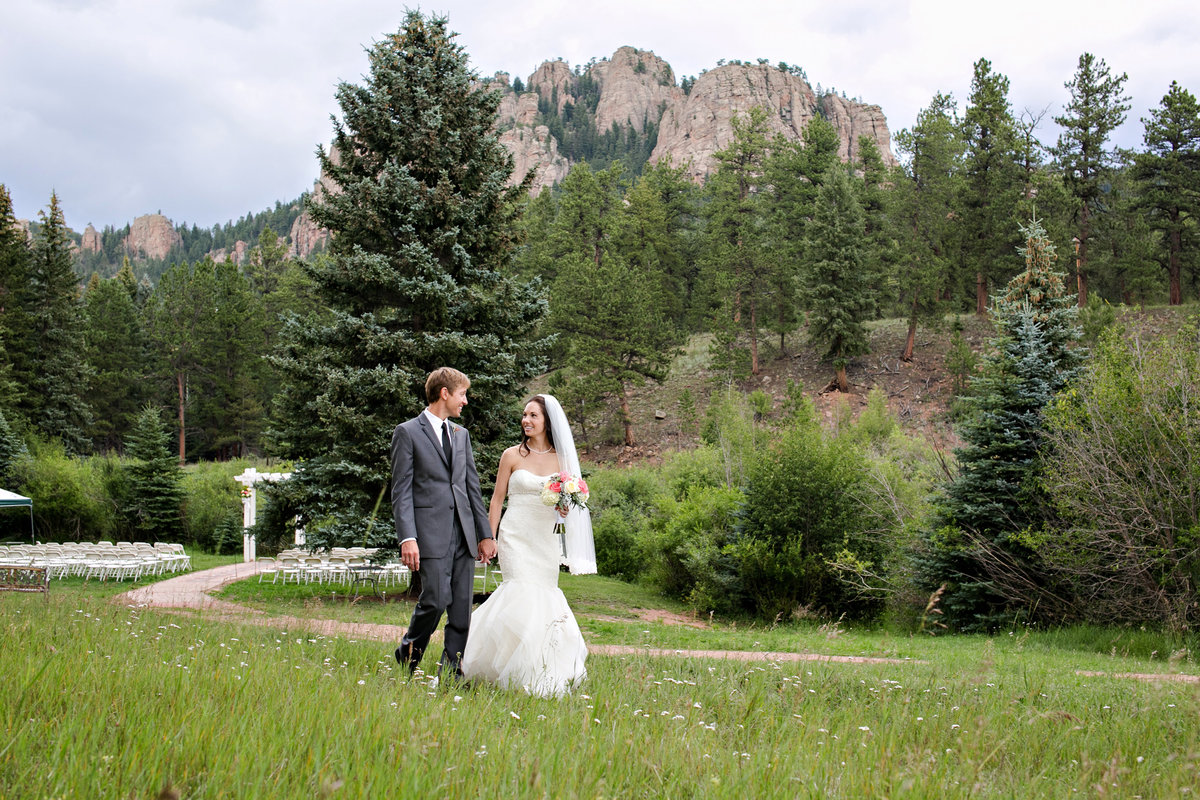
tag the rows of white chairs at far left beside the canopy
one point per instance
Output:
(103, 561)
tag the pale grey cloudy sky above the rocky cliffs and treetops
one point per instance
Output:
(209, 110)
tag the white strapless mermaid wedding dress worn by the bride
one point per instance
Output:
(525, 636)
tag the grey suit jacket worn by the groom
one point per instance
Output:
(427, 496)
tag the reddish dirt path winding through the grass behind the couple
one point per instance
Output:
(191, 592)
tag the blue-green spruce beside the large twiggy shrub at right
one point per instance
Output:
(976, 548)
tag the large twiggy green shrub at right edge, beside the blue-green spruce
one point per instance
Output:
(1124, 474)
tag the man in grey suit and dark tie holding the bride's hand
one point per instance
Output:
(441, 521)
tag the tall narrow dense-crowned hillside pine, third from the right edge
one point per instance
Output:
(992, 182)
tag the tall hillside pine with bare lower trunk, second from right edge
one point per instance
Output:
(1096, 110)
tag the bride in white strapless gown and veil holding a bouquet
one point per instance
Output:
(525, 635)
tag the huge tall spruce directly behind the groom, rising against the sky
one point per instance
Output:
(422, 222)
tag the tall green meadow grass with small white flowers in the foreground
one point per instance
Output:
(109, 701)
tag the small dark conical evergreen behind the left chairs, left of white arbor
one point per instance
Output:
(155, 477)
